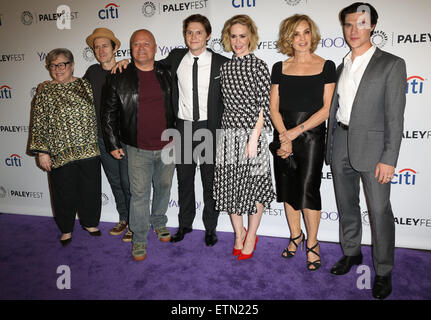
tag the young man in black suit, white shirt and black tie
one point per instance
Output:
(197, 105)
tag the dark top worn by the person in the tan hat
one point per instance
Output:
(96, 75)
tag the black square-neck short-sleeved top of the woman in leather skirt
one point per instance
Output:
(302, 93)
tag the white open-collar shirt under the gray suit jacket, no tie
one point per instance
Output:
(349, 81)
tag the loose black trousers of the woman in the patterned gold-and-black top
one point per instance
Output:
(76, 188)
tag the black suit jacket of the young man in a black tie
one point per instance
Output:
(215, 102)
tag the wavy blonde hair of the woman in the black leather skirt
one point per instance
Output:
(287, 31)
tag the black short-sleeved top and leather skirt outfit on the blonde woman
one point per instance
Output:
(300, 97)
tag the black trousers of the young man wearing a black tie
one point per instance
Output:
(186, 170)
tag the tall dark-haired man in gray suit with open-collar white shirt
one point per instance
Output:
(363, 142)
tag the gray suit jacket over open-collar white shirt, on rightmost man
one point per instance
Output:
(376, 121)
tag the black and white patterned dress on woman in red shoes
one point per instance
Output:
(240, 183)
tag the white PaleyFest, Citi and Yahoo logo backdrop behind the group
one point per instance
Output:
(30, 29)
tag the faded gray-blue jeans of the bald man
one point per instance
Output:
(146, 170)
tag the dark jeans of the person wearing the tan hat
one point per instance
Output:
(118, 177)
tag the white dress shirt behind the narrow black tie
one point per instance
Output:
(185, 85)
